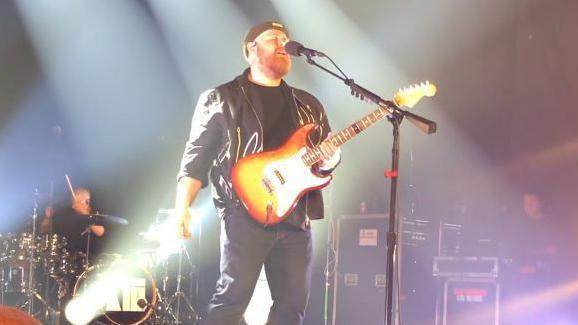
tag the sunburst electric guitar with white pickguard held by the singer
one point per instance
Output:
(271, 183)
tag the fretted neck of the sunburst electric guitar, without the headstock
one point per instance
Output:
(313, 155)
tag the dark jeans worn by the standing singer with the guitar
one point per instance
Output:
(246, 246)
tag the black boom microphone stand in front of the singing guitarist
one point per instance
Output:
(395, 116)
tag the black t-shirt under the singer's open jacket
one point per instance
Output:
(278, 123)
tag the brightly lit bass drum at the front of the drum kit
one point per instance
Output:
(130, 292)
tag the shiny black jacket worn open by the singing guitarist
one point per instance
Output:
(226, 126)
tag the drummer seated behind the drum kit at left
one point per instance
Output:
(73, 221)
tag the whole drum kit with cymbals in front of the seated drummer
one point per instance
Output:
(42, 275)
